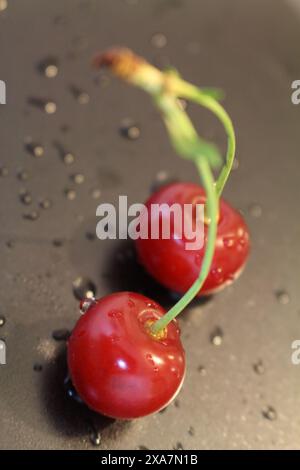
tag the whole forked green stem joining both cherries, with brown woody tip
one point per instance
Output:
(165, 89)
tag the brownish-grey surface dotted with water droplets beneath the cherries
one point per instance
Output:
(249, 48)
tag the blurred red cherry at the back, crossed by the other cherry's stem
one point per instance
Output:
(176, 267)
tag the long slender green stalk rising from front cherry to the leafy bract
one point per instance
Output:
(212, 212)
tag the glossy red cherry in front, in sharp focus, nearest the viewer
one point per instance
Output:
(117, 366)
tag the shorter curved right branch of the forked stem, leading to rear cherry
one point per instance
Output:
(195, 94)
